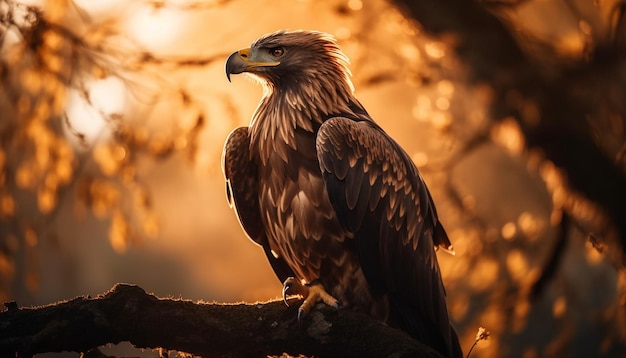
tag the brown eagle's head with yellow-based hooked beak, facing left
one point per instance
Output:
(287, 59)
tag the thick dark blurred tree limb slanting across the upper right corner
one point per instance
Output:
(566, 97)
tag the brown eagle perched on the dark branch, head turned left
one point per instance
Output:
(338, 207)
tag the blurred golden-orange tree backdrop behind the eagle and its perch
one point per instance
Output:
(113, 115)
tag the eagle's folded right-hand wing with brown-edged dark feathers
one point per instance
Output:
(379, 196)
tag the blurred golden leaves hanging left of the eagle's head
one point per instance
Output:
(47, 56)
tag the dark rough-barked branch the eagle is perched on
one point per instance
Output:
(128, 313)
